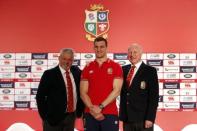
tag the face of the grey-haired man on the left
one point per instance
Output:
(65, 60)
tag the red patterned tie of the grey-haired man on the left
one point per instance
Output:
(70, 93)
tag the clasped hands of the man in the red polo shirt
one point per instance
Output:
(95, 111)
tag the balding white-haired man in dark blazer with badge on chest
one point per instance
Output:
(139, 94)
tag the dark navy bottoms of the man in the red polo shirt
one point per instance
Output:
(110, 123)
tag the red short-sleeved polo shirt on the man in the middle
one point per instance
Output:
(100, 79)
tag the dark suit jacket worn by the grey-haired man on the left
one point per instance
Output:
(51, 95)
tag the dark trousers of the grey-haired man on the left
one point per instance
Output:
(66, 125)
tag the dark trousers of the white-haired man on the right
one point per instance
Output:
(135, 126)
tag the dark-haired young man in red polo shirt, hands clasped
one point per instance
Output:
(101, 83)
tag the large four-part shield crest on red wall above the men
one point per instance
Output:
(96, 22)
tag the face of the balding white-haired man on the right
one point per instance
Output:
(134, 55)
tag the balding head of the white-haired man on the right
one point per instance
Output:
(135, 53)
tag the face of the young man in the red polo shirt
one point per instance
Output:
(100, 49)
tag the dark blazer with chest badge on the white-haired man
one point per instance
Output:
(139, 102)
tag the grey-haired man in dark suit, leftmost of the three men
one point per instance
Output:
(58, 97)
